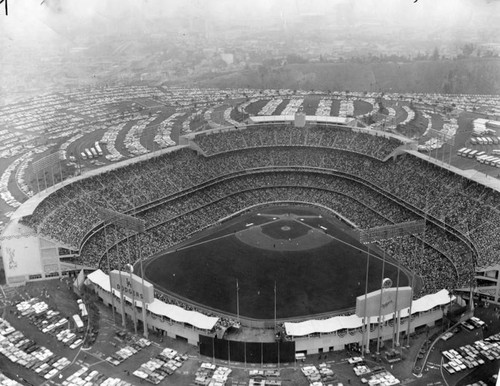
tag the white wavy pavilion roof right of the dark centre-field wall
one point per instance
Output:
(336, 323)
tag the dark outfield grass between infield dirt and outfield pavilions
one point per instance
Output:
(323, 279)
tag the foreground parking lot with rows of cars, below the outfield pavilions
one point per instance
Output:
(119, 356)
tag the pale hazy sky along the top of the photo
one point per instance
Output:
(33, 19)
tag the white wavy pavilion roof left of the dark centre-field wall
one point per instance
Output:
(160, 308)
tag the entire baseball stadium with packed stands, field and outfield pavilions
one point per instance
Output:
(268, 232)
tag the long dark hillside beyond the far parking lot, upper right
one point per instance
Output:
(467, 76)
